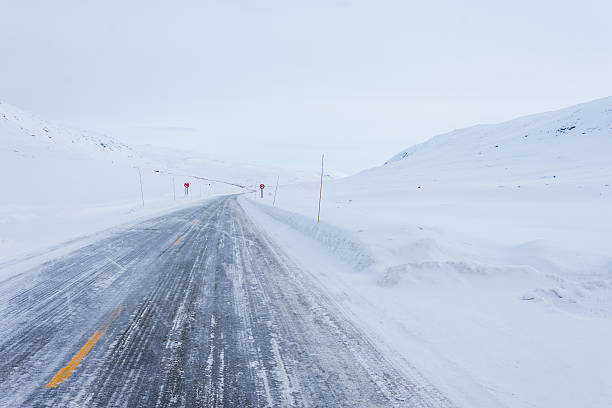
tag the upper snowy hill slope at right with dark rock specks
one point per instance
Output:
(542, 145)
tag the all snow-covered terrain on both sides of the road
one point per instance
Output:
(481, 259)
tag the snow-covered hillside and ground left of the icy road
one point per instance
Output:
(58, 182)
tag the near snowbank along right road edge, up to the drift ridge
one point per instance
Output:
(485, 334)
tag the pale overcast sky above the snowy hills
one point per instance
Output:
(282, 81)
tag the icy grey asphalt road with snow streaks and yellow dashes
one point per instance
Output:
(195, 308)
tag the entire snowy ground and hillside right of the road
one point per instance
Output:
(483, 257)
